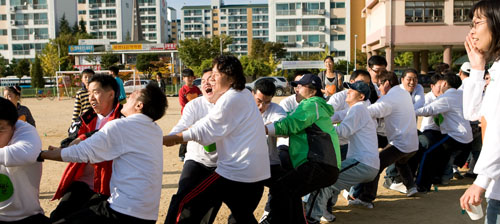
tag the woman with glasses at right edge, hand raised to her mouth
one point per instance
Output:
(483, 45)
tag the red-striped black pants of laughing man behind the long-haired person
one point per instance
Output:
(193, 173)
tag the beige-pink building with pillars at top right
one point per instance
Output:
(416, 26)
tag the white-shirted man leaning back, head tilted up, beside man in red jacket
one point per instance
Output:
(134, 144)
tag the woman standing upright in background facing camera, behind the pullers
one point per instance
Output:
(331, 80)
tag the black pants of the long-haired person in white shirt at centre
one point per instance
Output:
(241, 198)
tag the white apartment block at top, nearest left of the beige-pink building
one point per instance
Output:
(309, 26)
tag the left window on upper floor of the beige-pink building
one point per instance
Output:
(424, 11)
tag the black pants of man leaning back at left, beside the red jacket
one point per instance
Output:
(101, 213)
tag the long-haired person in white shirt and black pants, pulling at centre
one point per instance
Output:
(235, 125)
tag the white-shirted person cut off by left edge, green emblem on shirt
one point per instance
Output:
(20, 173)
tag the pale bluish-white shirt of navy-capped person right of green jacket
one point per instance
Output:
(360, 129)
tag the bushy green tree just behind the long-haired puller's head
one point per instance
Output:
(194, 51)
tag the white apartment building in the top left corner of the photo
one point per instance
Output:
(27, 25)
